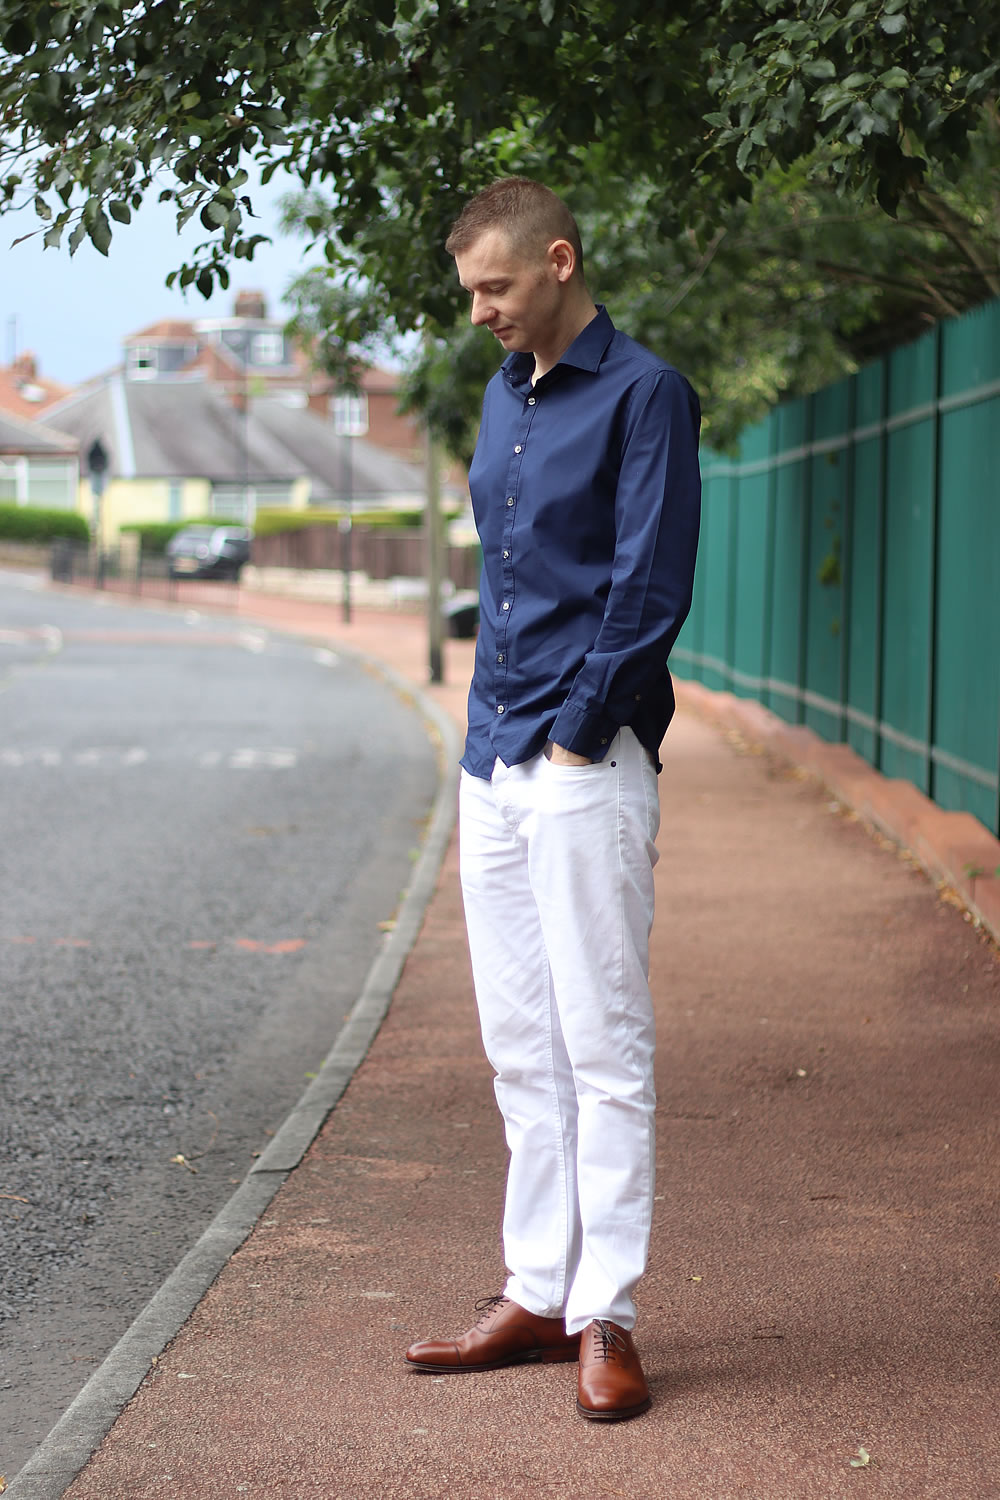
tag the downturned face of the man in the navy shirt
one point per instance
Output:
(518, 299)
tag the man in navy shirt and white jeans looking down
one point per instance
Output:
(585, 487)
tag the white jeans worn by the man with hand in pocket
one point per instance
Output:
(557, 877)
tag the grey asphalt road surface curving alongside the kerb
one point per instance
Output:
(203, 829)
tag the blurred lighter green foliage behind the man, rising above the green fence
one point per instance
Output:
(789, 290)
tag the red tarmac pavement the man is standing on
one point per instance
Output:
(822, 1306)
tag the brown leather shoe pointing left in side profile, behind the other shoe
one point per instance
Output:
(504, 1334)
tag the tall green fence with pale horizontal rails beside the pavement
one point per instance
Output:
(851, 565)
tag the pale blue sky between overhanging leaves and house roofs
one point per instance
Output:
(74, 313)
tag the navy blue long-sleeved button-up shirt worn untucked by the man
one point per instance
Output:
(587, 499)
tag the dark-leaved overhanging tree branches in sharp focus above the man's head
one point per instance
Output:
(674, 122)
